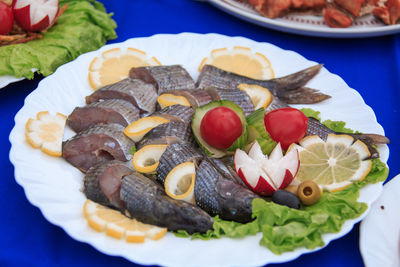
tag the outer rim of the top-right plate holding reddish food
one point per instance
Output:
(300, 29)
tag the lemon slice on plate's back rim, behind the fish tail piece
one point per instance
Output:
(242, 61)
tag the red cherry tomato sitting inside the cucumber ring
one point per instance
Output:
(220, 127)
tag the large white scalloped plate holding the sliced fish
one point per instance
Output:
(55, 186)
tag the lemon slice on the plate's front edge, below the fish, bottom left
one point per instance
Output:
(116, 225)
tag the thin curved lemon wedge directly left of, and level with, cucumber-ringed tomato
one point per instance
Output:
(137, 129)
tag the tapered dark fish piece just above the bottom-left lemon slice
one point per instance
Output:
(147, 202)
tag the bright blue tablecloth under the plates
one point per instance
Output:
(369, 65)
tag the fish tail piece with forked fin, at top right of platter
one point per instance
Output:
(289, 88)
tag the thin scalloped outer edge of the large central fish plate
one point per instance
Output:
(294, 254)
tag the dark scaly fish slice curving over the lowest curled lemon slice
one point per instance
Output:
(174, 155)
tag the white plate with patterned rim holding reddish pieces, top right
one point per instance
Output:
(366, 26)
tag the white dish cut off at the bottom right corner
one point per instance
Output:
(380, 230)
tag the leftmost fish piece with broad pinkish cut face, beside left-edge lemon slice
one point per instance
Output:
(98, 143)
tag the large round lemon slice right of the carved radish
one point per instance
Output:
(334, 164)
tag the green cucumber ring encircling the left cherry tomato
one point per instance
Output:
(196, 122)
